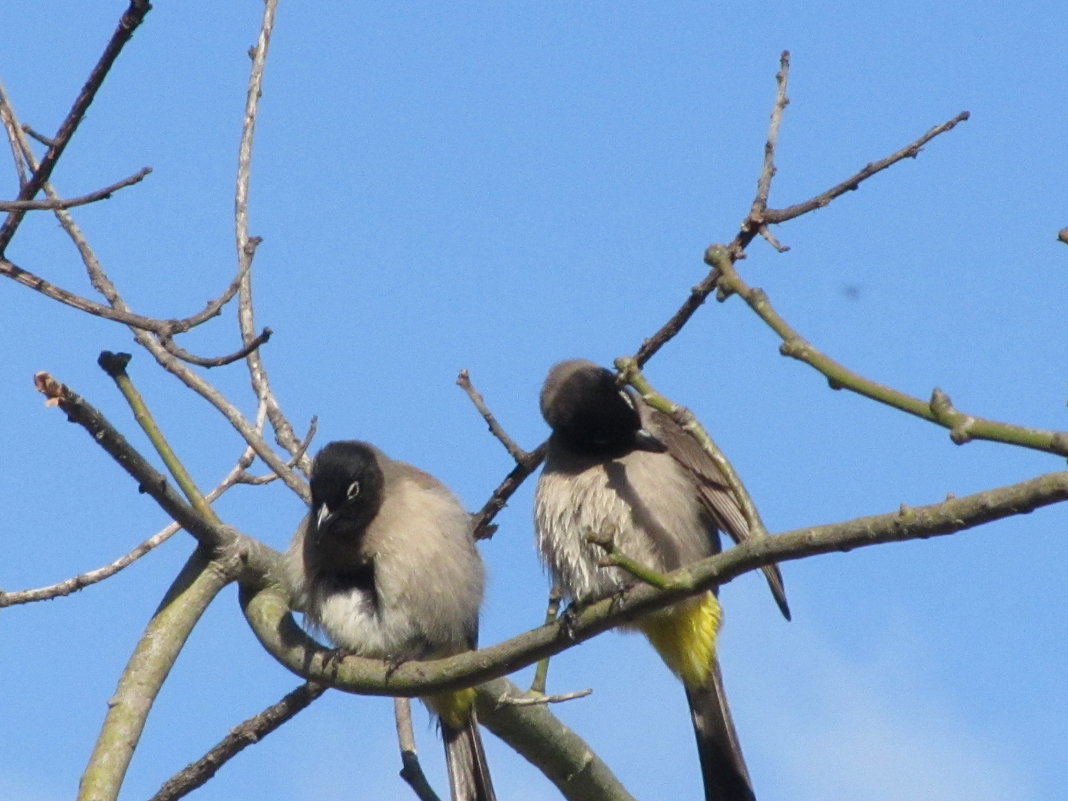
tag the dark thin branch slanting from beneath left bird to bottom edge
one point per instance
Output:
(248, 733)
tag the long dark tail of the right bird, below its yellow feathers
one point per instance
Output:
(723, 765)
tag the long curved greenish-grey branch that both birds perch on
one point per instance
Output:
(269, 614)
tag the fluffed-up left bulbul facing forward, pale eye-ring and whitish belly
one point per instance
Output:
(386, 566)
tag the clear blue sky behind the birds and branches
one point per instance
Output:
(498, 187)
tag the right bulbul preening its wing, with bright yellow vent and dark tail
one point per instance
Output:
(618, 467)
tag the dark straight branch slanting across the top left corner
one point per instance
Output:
(131, 20)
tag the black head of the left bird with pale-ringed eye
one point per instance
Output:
(348, 484)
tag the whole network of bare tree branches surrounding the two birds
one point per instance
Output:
(224, 556)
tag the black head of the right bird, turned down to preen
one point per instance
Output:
(592, 414)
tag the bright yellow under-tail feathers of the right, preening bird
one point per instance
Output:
(685, 637)
